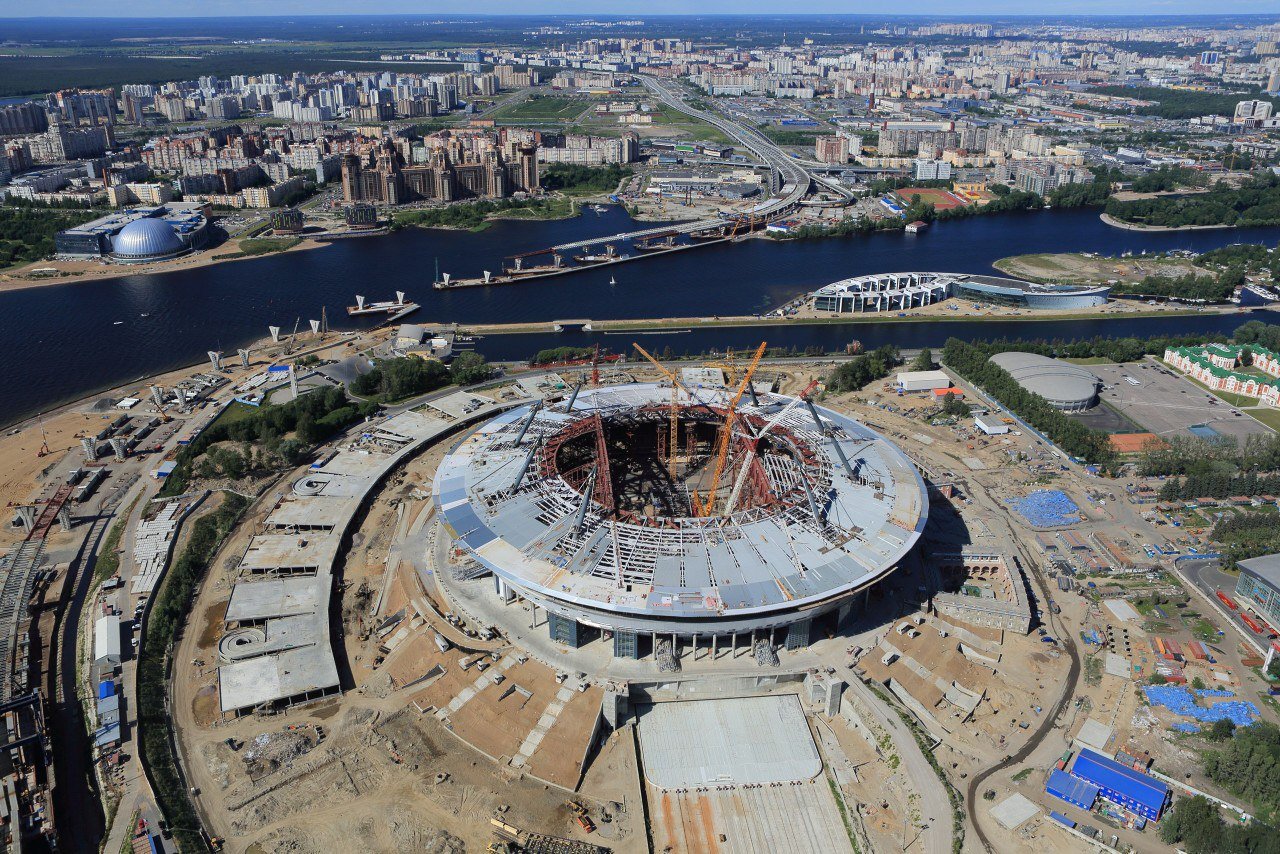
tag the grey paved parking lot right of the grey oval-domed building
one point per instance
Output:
(1168, 404)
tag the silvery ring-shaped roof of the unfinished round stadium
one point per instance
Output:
(762, 558)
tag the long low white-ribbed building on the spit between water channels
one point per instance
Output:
(900, 291)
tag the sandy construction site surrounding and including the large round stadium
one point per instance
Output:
(697, 609)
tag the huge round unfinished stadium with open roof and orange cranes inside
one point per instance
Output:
(655, 514)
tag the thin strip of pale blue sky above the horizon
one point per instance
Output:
(639, 8)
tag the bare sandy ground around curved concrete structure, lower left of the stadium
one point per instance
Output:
(377, 770)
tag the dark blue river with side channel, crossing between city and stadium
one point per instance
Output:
(63, 342)
